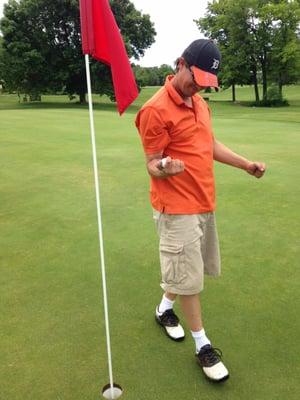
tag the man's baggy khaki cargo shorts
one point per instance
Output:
(188, 248)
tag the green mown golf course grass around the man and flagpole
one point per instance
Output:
(52, 338)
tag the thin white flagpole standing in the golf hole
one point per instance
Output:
(101, 247)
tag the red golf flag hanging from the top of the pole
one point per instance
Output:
(101, 39)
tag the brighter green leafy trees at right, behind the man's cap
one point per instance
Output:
(258, 38)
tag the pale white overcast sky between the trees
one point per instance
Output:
(173, 21)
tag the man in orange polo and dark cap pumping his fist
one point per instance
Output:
(175, 128)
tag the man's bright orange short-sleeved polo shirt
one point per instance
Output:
(167, 124)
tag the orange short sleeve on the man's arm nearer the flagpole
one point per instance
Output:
(153, 131)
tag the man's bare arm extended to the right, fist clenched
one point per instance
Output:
(226, 156)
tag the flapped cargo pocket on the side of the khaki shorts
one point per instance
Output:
(172, 262)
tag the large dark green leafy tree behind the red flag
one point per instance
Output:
(42, 45)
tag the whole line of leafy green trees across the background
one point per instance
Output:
(40, 47)
